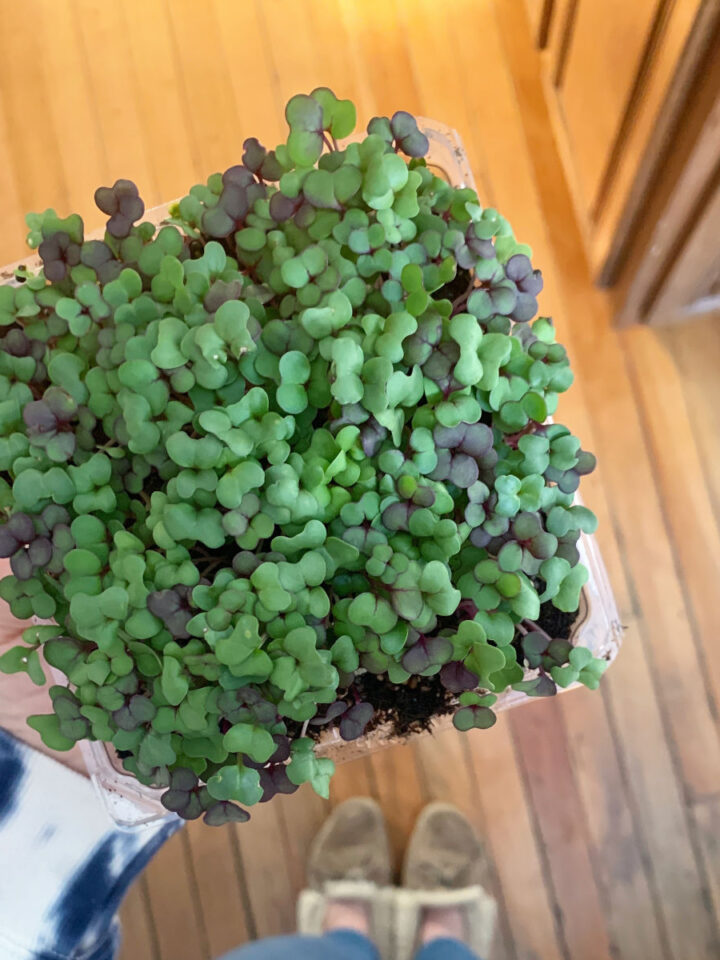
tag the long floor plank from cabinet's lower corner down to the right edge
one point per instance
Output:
(620, 441)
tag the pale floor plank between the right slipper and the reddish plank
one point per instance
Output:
(513, 844)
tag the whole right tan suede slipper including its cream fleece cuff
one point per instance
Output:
(445, 867)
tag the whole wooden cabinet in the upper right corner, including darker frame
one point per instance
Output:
(622, 79)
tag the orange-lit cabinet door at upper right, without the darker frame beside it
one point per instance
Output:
(617, 73)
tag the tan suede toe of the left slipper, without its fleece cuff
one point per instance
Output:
(352, 845)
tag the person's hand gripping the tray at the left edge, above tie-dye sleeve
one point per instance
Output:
(20, 697)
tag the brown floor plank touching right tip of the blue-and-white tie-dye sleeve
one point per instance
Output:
(173, 900)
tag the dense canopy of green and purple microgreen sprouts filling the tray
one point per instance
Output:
(298, 433)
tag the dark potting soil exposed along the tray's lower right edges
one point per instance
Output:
(411, 707)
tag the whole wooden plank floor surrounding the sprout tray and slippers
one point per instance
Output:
(601, 811)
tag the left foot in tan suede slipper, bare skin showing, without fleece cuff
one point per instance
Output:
(351, 845)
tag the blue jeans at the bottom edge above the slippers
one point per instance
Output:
(340, 945)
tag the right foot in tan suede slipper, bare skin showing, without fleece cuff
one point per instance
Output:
(444, 853)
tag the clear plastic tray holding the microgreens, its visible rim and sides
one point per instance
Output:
(131, 804)
